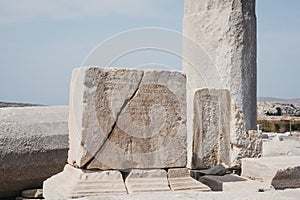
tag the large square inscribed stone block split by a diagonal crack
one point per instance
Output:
(127, 118)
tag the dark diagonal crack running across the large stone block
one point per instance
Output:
(116, 121)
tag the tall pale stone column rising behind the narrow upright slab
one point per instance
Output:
(219, 51)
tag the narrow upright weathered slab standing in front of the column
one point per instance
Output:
(211, 126)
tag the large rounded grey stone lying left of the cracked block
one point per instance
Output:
(33, 146)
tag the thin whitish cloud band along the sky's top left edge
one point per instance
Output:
(17, 11)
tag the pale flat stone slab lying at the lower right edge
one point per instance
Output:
(280, 172)
